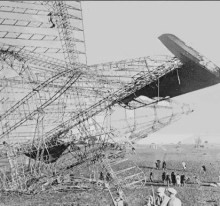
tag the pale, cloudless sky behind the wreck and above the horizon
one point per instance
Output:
(116, 30)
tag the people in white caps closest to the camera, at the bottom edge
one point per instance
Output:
(163, 199)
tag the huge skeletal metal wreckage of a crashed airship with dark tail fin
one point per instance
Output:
(60, 116)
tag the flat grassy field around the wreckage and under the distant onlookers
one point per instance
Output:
(191, 194)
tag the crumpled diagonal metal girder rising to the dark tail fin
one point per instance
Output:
(140, 81)
